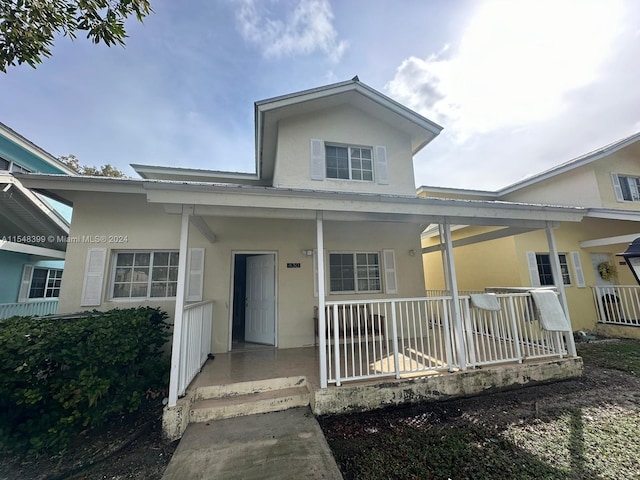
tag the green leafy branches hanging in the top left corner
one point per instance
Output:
(28, 27)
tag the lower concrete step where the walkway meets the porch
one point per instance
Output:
(249, 404)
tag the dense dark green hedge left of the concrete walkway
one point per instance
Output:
(61, 376)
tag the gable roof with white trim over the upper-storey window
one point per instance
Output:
(269, 112)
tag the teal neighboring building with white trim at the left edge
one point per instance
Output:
(33, 230)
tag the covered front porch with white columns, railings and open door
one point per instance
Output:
(359, 340)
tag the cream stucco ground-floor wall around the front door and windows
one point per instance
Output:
(150, 228)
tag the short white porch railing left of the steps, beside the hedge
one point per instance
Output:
(196, 341)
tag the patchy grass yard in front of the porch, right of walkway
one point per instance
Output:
(585, 429)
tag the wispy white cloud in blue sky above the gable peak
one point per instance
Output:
(307, 28)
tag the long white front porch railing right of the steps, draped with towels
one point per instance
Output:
(400, 337)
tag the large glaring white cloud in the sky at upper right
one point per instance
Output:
(513, 67)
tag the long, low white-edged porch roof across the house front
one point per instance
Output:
(259, 201)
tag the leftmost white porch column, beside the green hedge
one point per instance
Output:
(174, 377)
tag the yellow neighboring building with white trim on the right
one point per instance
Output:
(601, 292)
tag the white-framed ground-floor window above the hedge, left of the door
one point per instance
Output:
(145, 274)
